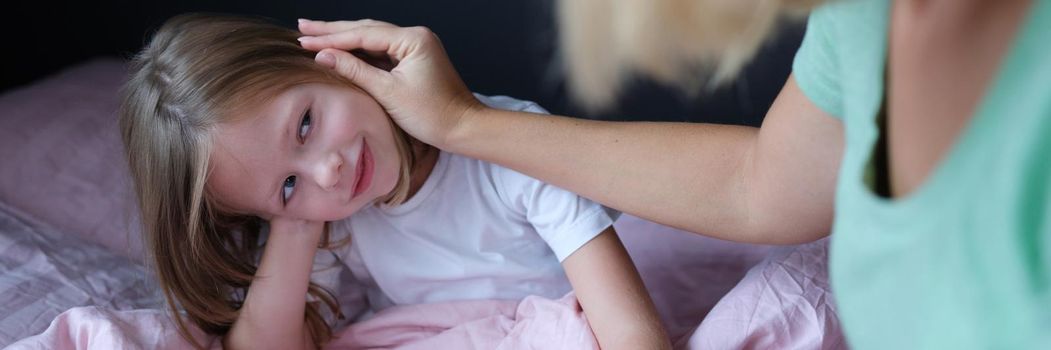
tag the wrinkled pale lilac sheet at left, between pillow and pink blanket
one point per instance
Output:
(45, 273)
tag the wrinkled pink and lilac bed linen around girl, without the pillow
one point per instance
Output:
(784, 303)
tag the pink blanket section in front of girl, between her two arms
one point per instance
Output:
(534, 323)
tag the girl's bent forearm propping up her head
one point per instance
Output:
(274, 314)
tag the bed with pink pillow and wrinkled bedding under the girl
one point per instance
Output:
(72, 271)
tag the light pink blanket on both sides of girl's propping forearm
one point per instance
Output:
(534, 323)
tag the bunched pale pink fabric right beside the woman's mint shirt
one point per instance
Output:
(784, 303)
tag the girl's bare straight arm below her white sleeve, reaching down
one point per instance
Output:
(613, 297)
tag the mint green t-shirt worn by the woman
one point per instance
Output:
(965, 261)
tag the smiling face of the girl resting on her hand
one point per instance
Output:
(316, 152)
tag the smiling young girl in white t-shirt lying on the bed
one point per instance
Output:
(233, 130)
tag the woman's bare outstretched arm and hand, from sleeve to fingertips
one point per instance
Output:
(773, 184)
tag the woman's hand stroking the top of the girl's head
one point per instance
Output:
(423, 93)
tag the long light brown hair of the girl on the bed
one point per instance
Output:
(196, 73)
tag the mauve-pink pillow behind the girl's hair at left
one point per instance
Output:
(64, 164)
